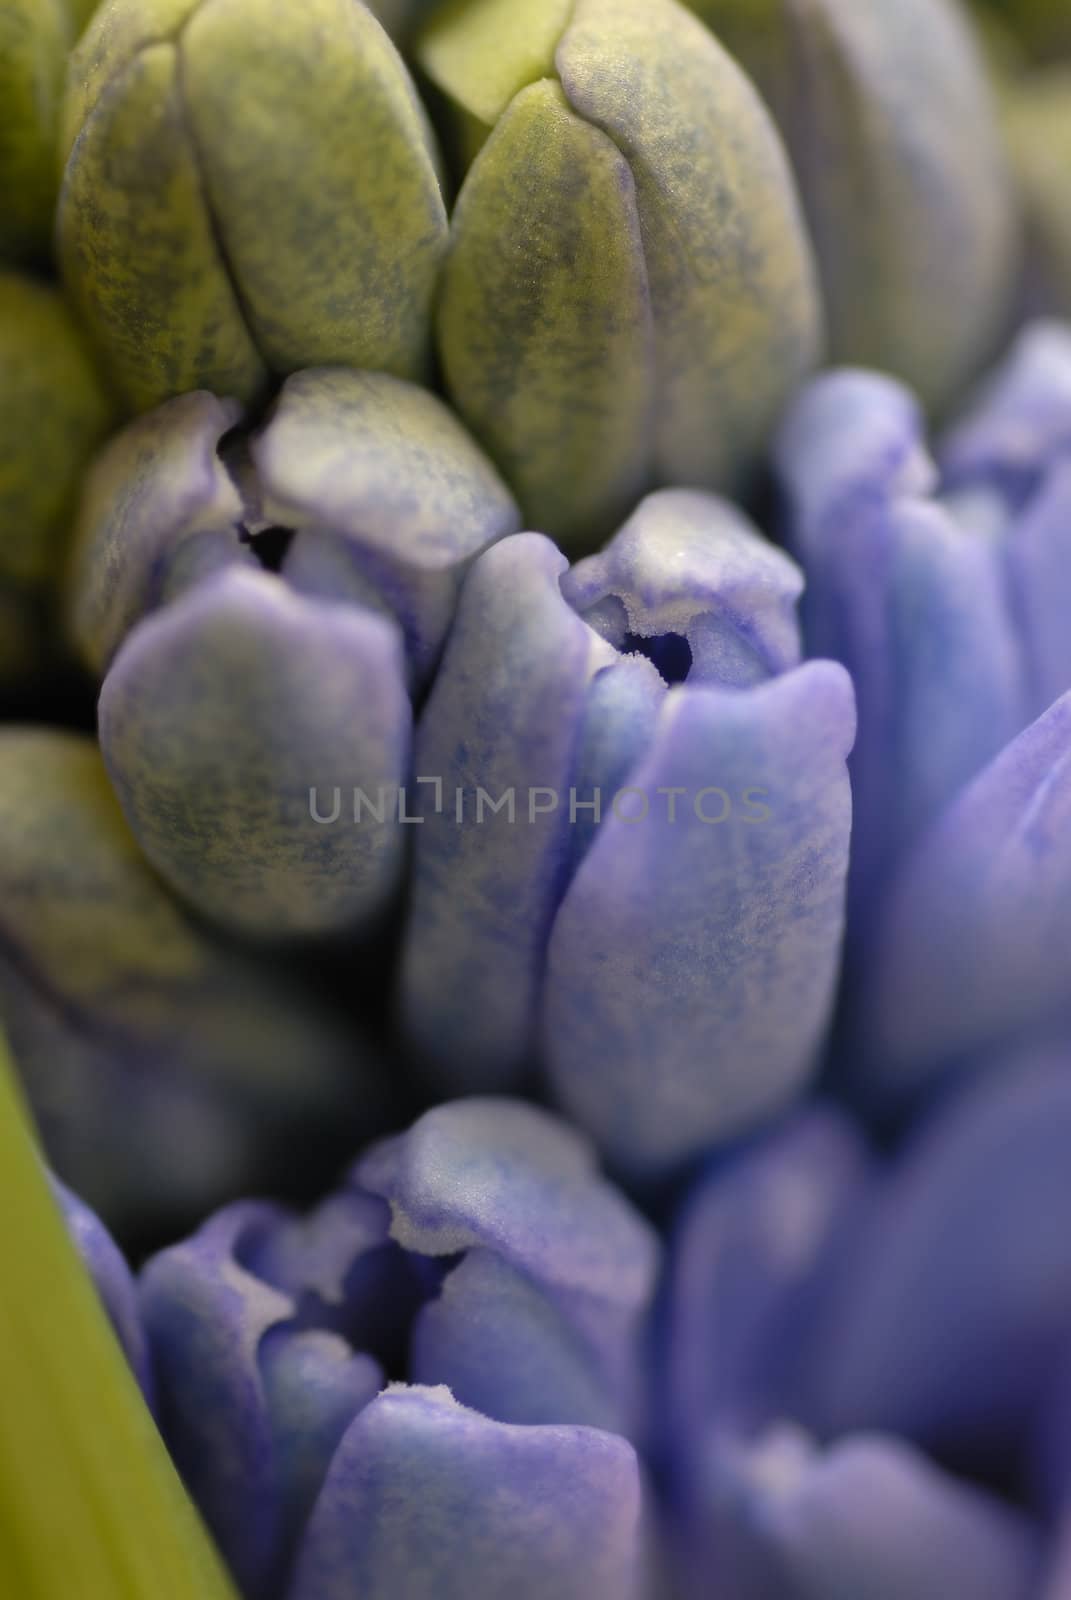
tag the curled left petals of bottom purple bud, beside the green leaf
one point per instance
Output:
(252, 1404)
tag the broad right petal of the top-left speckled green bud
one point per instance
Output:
(323, 180)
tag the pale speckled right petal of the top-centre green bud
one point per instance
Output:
(732, 279)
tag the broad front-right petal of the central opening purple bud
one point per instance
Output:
(692, 964)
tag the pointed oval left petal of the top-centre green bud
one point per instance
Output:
(545, 324)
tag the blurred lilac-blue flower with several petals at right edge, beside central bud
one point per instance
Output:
(942, 586)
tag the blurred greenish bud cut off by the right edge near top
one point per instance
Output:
(1038, 119)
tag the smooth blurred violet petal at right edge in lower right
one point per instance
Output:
(957, 1310)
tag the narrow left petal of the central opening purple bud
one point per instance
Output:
(503, 716)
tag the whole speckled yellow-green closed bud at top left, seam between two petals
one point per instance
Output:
(241, 201)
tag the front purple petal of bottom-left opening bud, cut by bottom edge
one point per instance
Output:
(431, 1502)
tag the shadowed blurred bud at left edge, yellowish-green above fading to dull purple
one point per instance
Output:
(166, 1066)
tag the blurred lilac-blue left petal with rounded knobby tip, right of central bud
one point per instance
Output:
(907, 599)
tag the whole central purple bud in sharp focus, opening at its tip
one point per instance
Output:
(632, 876)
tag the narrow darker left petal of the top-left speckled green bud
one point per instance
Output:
(138, 250)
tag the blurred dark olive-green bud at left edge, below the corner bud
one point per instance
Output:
(54, 414)
